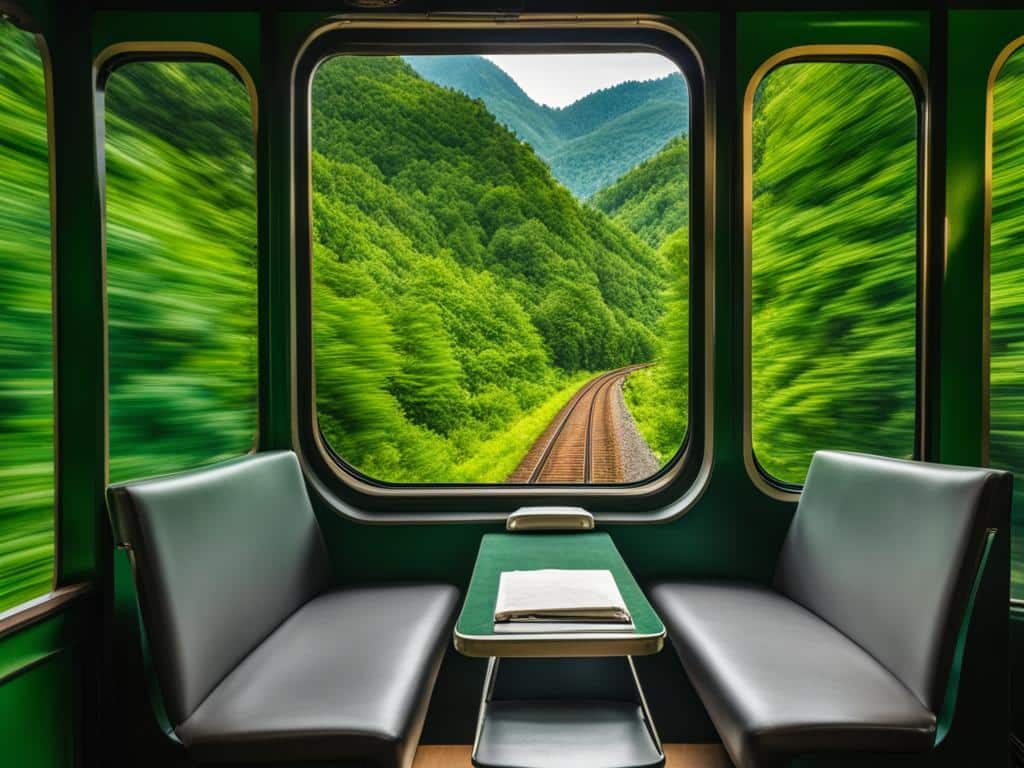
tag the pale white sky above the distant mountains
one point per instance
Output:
(561, 79)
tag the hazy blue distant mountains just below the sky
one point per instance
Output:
(589, 144)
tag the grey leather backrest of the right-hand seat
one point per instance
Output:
(887, 552)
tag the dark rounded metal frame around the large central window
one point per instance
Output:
(677, 487)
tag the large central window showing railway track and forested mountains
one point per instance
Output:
(500, 266)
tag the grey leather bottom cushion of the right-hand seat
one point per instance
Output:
(778, 680)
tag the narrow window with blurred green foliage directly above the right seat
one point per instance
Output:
(833, 265)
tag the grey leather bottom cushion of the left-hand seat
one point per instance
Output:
(348, 677)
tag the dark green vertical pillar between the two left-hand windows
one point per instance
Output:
(82, 539)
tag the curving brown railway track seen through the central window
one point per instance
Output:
(581, 444)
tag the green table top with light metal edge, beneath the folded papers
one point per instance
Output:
(500, 552)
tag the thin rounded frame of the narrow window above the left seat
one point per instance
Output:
(107, 63)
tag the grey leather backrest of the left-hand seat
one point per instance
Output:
(222, 557)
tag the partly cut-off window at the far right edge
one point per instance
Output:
(1007, 294)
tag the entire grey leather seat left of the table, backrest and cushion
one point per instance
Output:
(258, 660)
